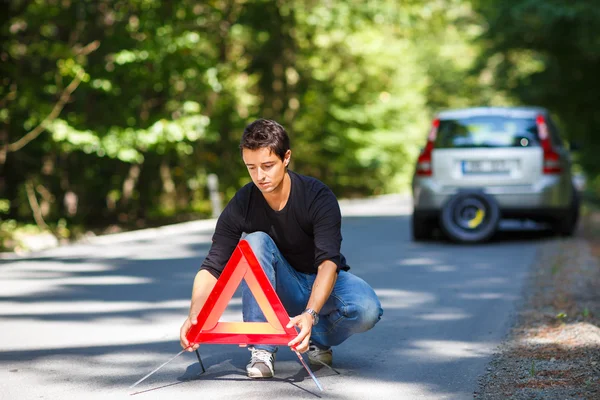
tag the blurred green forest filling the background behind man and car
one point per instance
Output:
(114, 114)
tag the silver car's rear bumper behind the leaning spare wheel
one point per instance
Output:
(550, 193)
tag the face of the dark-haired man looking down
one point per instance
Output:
(266, 169)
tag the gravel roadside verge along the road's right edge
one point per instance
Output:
(553, 351)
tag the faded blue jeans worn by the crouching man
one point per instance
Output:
(352, 307)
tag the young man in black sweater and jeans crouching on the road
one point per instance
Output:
(293, 225)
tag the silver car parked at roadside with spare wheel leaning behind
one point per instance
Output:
(480, 165)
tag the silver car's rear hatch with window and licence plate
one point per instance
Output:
(487, 150)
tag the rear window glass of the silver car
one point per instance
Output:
(487, 131)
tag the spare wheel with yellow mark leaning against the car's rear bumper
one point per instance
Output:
(470, 217)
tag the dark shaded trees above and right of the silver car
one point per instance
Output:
(547, 53)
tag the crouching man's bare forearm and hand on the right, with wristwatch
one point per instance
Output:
(321, 290)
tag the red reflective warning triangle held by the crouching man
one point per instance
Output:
(243, 264)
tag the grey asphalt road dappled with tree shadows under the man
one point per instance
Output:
(86, 321)
